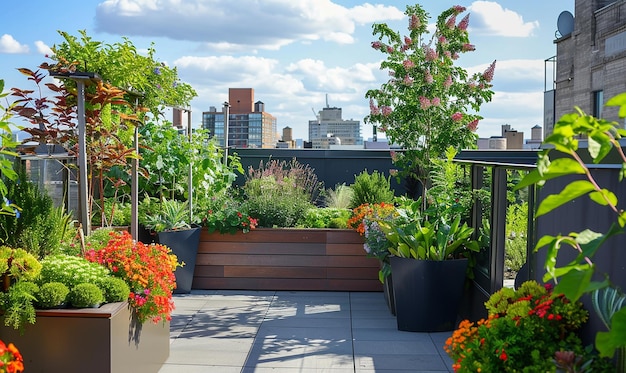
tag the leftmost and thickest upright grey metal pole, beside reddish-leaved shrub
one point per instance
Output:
(82, 160)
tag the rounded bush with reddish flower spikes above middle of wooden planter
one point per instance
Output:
(278, 194)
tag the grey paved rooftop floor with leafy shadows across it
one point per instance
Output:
(284, 331)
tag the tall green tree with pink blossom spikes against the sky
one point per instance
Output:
(428, 104)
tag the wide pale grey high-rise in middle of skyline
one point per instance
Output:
(329, 128)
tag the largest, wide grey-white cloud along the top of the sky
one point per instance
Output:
(270, 24)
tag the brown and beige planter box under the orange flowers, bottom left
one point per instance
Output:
(94, 340)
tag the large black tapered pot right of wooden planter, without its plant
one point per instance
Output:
(427, 293)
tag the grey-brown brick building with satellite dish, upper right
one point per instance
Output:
(590, 61)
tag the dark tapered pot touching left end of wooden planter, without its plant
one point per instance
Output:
(184, 244)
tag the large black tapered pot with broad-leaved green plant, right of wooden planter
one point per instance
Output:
(428, 259)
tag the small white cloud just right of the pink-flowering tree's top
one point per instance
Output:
(488, 17)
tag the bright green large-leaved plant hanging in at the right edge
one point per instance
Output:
(561, 157)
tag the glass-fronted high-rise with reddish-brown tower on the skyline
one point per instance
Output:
(249, 126)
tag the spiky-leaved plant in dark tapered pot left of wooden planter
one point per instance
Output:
(173, 229)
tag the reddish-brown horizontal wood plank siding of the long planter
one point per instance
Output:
(285, 259)
